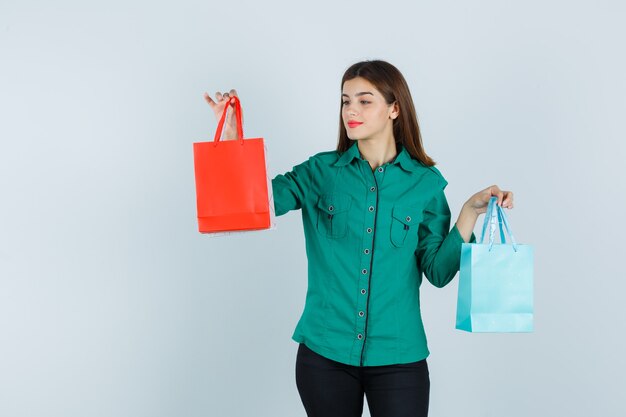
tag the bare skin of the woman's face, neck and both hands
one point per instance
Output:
(362, 102)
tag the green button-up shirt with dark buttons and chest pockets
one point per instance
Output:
(369, 237)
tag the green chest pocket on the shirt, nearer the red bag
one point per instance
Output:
(332, 215)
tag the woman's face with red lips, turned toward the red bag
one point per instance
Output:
(365, 113)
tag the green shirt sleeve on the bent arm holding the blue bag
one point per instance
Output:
(439, 251)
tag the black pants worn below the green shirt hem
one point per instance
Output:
(328, 388)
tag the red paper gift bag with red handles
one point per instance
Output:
(231, 181)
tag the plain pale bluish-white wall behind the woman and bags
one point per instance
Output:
(111, 302)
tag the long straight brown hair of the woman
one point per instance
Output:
(392, 85)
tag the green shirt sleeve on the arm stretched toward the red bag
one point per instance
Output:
(290, 189)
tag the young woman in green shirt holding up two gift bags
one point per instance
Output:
(375, 219)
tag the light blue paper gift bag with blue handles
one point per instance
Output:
(496, 281)
